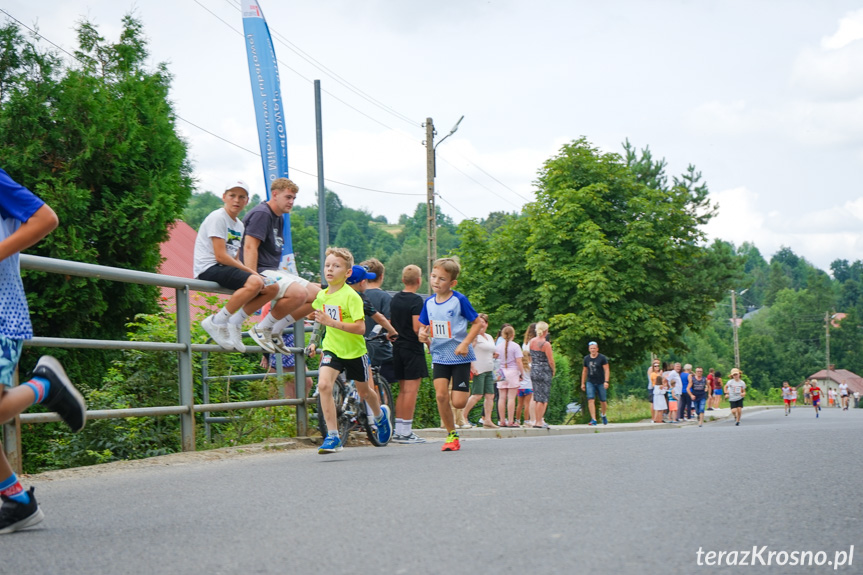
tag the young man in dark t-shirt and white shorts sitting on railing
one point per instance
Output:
(261, 250)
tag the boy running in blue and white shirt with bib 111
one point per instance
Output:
(445, 319)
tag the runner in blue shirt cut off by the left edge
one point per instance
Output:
(24, 220)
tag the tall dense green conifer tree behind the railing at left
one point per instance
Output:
(98, 142)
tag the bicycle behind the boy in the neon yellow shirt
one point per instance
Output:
(351, 411)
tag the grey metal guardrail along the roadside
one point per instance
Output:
(184, 347)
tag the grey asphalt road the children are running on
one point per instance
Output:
(635, 502)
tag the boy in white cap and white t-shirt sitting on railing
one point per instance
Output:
(216, 259)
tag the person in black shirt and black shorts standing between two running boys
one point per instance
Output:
(409, 358)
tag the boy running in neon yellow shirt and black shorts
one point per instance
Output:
(340, 309)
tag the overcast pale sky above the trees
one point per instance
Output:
(764, 98)
